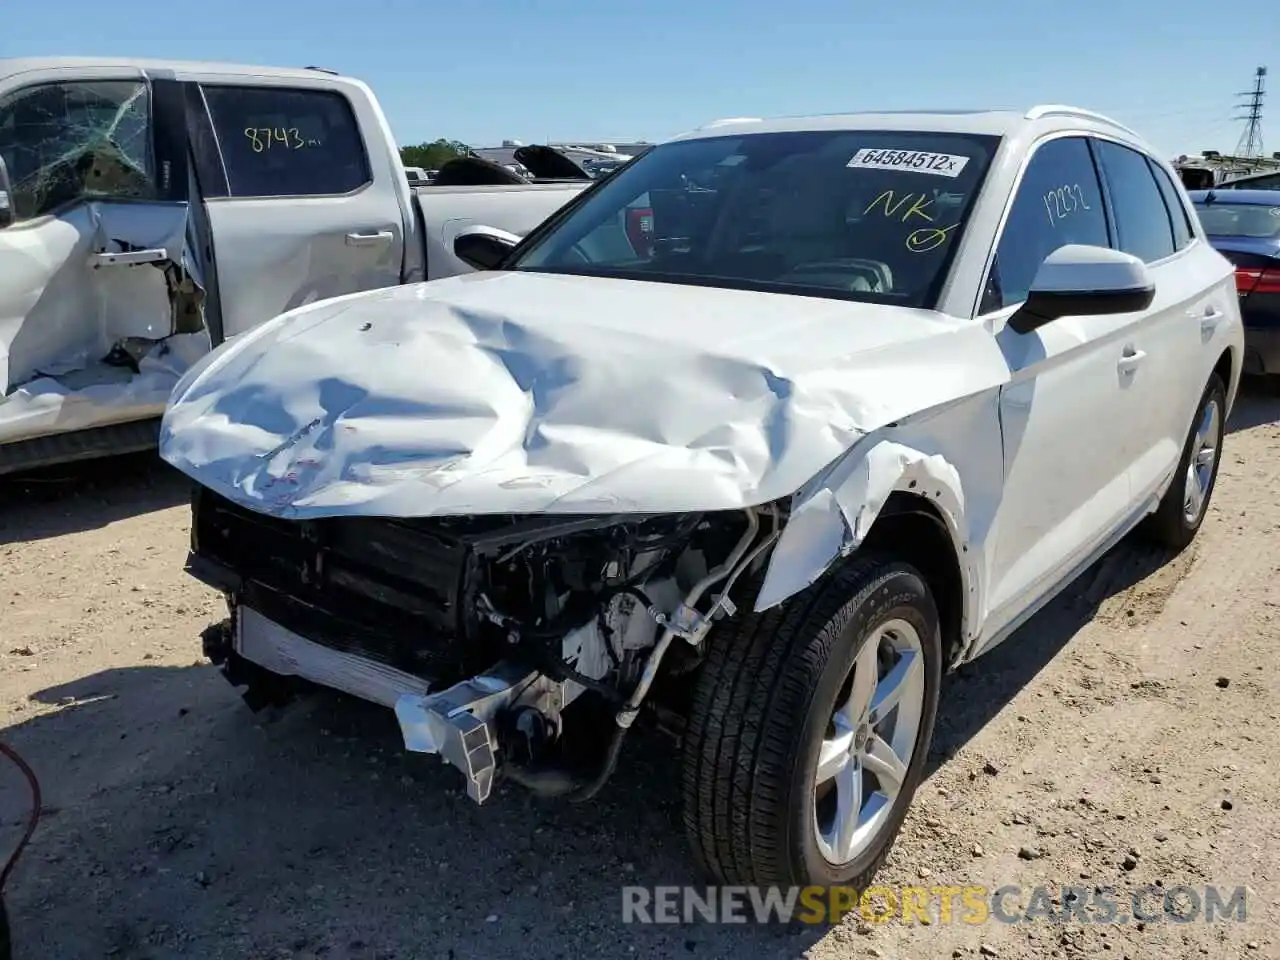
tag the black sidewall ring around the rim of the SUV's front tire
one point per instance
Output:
(900, 595)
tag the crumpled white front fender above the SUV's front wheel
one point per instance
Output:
(950, 458)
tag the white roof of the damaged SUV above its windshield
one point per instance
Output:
(1046, 117)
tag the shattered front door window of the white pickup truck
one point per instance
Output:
(66, 143)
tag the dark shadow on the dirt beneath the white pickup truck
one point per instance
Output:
(85, 496)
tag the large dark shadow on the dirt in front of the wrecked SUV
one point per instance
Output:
(180, 825)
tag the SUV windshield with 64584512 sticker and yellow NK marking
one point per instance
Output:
(868, 216)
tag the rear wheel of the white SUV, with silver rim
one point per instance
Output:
(1183, 508)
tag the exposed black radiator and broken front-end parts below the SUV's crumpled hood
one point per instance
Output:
(518, 644)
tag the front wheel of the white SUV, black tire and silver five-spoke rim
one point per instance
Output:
(810, 730)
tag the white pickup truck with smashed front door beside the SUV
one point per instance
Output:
(150, 211)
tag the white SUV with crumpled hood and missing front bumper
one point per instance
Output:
(753, 442)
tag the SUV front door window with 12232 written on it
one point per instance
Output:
(1058, 203)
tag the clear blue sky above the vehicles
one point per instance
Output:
(620, 70)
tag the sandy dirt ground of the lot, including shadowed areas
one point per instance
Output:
(1096, 747)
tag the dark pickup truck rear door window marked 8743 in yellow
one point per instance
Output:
(287, 143)
